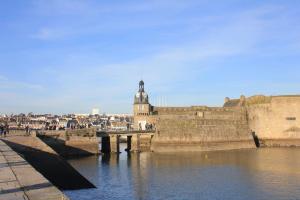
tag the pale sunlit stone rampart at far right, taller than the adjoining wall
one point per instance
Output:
(273, 119)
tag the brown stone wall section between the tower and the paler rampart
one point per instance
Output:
(200, 128)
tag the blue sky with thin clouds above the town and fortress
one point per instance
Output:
(68, 56)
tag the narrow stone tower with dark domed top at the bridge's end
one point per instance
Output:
(141, 108)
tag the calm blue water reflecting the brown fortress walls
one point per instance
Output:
(243, 174)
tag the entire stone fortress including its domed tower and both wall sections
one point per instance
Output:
(241, 123)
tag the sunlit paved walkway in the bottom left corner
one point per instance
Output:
(19, 180)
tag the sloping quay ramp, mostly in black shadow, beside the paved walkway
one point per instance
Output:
(47, 162)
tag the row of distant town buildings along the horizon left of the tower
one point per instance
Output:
(60, 122)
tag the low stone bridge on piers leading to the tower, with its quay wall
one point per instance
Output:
(86, 141)
